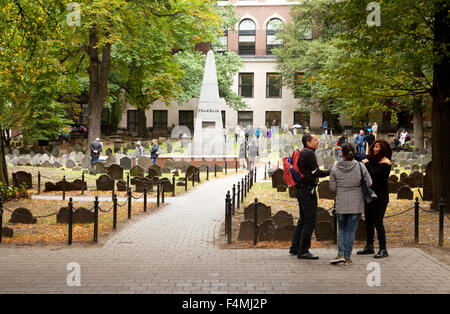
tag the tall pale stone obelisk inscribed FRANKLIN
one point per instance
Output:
(208, 132)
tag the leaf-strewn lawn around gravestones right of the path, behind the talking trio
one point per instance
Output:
(399, 229)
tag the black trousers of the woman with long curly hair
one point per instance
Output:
(374, 214)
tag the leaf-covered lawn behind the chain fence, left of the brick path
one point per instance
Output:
(47, 231)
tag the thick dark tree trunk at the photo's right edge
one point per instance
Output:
(441, 108)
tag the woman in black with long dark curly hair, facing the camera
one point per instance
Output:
(378, 163)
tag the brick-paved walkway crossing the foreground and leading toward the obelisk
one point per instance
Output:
(175, 251)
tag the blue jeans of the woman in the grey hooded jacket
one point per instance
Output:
(347, 224)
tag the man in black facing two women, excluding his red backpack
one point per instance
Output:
(307, 198)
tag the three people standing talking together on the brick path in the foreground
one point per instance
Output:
(346, 178)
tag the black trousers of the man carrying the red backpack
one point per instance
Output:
(301, 241)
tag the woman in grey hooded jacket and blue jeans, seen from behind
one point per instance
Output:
(345, 180)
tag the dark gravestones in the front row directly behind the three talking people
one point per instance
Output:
(280, 227)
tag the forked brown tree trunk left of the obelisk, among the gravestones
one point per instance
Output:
(98, 83)
